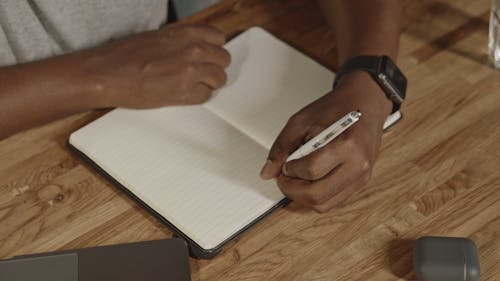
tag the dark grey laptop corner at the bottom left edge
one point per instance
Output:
(160, 260)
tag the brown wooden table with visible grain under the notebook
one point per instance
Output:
(438, 172)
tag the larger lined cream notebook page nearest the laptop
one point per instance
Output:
(190, 166)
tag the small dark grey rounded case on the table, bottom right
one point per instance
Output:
(445, 259)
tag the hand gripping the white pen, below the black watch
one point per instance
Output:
(329, 175)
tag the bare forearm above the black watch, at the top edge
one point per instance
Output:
(364, 27)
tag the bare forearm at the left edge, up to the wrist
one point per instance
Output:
(36, 93)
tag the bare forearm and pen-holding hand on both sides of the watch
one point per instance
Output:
(325, 178)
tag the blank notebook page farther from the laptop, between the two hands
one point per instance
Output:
(268, 81)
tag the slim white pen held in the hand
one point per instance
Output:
(326, 136)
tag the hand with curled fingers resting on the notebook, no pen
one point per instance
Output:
(178, 64)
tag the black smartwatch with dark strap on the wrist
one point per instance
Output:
(384, 71)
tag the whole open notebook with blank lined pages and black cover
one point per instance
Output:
(197, 167)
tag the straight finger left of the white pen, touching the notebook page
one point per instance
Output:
(285, 144)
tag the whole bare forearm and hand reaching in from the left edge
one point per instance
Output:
(178, 64)
